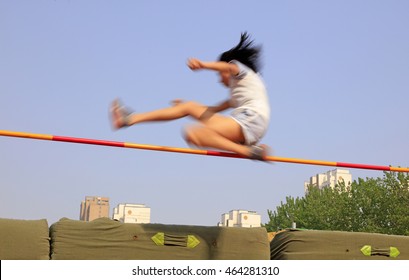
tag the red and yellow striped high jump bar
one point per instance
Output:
(87, 141)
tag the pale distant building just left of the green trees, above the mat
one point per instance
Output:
(240, 218)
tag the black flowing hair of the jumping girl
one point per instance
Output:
(245, 52)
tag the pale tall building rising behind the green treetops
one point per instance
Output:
(329, 179)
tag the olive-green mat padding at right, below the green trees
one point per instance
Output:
(336, 245)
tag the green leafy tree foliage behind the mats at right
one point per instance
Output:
(378, 205)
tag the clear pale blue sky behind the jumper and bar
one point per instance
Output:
(337, 74)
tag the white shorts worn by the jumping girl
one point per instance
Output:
(252, 124)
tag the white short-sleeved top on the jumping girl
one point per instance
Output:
(247, 91)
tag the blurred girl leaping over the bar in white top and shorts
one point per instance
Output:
(239, 133)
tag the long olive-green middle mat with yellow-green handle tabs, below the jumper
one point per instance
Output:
(107, 239)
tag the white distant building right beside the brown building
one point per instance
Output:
(132, 213)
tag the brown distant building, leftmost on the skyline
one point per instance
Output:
(94, 207)
